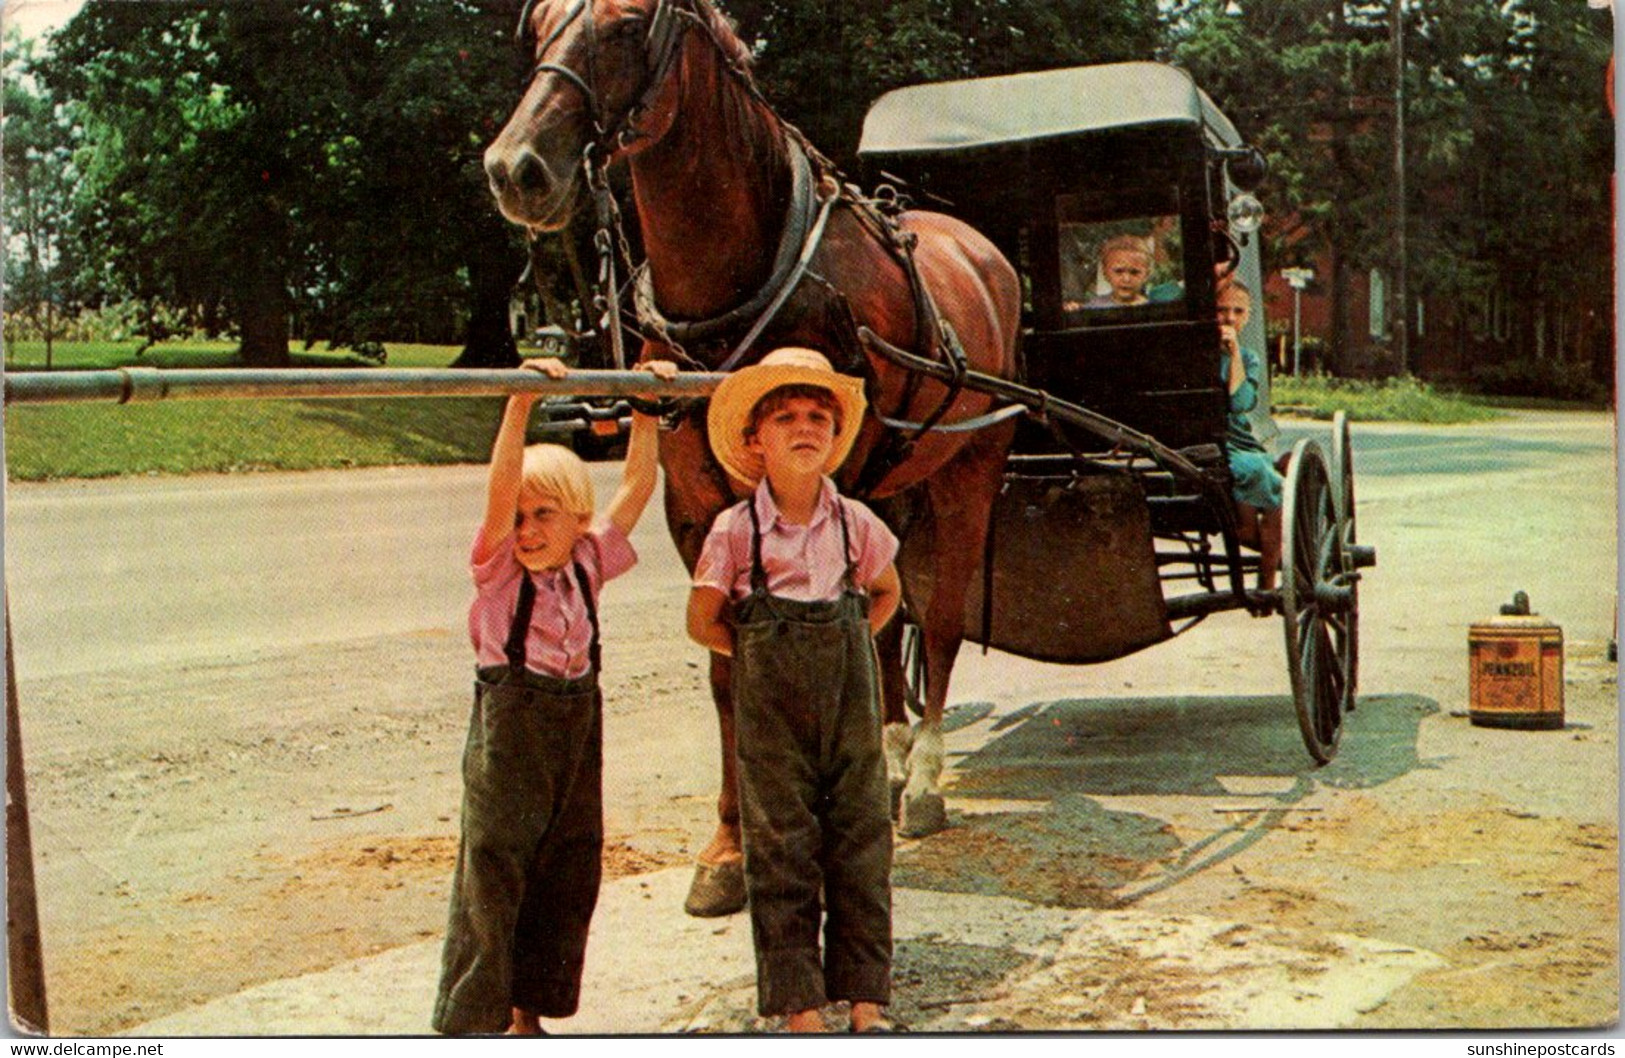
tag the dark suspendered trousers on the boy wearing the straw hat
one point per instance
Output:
(813, 794)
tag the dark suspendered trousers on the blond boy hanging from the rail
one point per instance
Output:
(532, 851)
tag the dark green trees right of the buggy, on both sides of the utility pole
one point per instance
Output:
(1509, 150)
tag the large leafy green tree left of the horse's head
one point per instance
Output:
(300, 160)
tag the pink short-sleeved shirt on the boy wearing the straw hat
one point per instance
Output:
(802, 562)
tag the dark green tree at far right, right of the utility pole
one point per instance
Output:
(1517, 131)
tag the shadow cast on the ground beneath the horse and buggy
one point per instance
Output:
(1075, 852)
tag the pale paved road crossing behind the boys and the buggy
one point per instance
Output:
(191, 568)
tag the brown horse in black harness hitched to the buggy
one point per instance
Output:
(719, 183)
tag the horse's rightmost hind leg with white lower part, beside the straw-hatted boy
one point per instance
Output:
(963, 496)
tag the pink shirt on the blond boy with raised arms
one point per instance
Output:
(560, 630)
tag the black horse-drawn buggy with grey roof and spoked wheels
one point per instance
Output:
(1116, 529)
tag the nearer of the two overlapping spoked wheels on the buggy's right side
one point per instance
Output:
(1317, 602)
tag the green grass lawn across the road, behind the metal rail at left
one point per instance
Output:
(97, 441)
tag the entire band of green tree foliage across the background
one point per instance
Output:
(314, 167)
